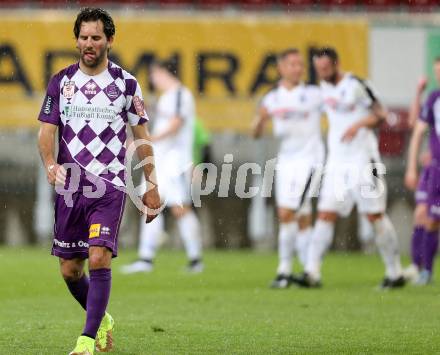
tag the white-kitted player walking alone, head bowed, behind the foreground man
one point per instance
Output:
(172, 137)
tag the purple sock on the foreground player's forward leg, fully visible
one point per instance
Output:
(97, 300)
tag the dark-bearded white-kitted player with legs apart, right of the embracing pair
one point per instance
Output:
(352, 174)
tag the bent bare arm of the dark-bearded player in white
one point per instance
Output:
(377, 115)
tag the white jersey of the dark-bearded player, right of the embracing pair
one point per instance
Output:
(346, 103)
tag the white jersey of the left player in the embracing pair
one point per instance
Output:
(296, 115)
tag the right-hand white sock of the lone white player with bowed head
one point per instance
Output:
(189, 229)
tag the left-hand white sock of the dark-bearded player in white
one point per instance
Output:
(320, 241)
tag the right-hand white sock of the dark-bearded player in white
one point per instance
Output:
(388, 245)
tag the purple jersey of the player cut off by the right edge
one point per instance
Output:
(431, 115)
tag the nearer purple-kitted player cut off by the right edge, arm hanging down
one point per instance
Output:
(427, 221)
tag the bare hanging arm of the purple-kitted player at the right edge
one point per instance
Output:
(411, 177)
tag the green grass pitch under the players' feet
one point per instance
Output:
(226, 310)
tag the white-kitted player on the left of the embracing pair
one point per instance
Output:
(295, 110)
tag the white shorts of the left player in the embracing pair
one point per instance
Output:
(294, 180)
